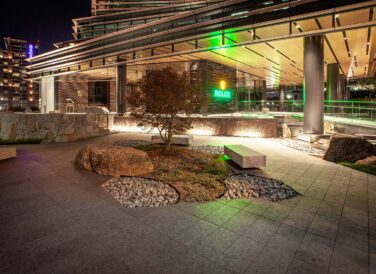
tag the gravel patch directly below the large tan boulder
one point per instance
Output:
(141, 192)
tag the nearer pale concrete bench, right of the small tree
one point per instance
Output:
(245, 157)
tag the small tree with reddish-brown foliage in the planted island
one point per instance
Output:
(163, 95)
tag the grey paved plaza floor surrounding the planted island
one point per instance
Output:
(56, 219)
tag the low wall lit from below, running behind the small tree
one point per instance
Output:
(224, 126)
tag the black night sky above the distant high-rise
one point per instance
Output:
(49, 21)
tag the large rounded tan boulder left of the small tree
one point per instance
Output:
(114, 160)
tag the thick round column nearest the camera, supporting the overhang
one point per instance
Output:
(314, 84)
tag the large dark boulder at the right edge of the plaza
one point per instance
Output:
(349, 149)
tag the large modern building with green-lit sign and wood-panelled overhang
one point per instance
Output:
(258, 48)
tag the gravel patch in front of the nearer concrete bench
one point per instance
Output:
(243, 186)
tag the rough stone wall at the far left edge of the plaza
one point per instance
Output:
(53, 127)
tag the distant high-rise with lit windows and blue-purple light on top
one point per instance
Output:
(16, 92)
